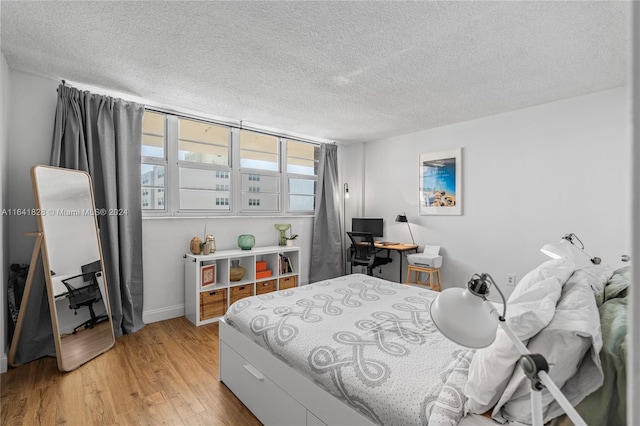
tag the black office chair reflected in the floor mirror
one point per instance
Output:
(86, 292)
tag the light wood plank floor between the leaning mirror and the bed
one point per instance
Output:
(166, 373)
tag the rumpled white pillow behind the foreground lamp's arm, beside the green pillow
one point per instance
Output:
(571, 344)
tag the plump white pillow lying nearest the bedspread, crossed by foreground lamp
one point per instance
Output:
(529, 309)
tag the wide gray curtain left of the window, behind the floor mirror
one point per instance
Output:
(101, 135)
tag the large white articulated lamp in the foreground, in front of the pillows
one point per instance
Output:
(466, 317)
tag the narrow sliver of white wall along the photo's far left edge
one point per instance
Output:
(4, 203)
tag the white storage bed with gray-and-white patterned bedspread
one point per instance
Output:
(355, 350)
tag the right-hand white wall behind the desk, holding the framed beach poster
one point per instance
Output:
(529, 177)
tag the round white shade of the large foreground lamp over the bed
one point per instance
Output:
(463, 318)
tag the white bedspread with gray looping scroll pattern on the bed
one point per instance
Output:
(367, 341)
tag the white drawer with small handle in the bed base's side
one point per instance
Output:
(267, 401)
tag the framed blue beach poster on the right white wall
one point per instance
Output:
(441, 183)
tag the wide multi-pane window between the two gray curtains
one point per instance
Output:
(194, 167)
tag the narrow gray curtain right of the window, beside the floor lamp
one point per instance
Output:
(327, 249)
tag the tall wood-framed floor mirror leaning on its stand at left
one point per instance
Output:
(68, 242)
